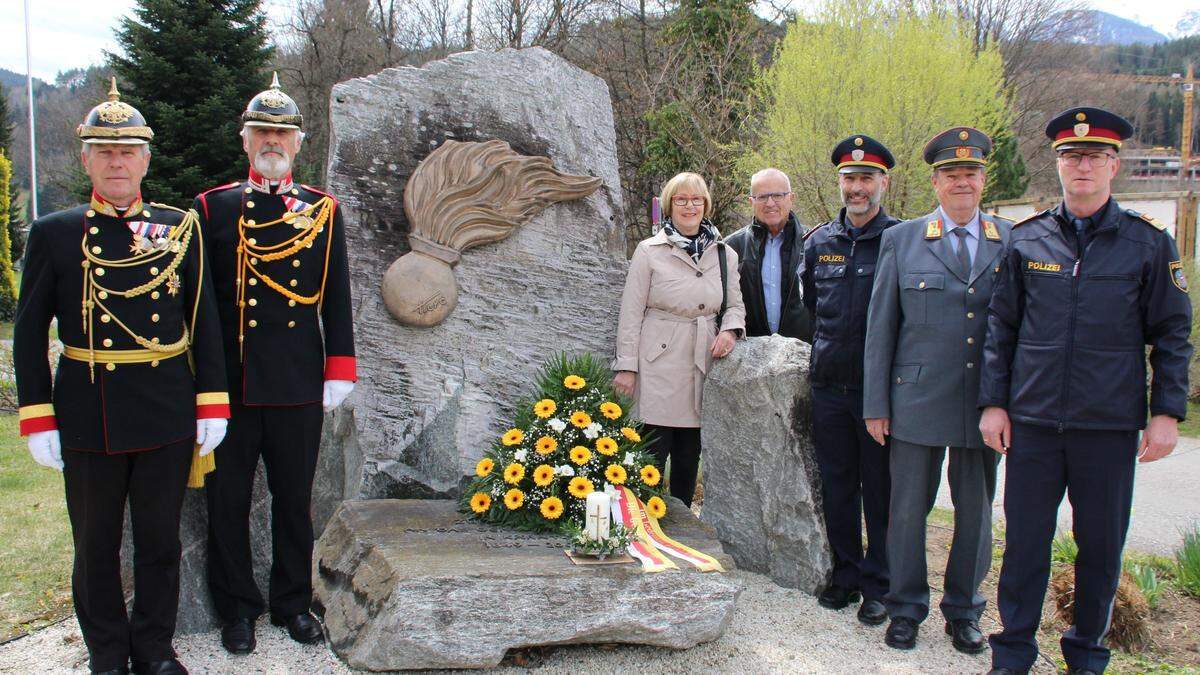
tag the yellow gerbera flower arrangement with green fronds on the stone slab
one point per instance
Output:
(574, 437)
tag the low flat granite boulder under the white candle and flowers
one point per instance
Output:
(412, 584)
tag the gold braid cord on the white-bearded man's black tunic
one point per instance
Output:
(250, 254)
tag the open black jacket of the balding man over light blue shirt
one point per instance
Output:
(749, 243)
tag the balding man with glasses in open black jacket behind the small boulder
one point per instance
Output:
(770, 250)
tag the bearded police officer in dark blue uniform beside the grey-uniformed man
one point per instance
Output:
(837, 273)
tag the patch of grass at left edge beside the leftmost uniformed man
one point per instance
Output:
(35, 559)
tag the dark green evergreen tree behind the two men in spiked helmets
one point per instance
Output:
(191, 67)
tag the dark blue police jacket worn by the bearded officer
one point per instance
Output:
(837, 274)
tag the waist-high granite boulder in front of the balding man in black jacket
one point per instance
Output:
(763, 489)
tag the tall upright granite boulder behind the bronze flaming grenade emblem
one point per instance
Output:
(430, 401)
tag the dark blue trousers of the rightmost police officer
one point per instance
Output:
(1096, 469)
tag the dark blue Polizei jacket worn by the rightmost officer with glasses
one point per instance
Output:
(1069, 325)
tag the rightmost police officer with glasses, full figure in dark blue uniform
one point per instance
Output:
(1085, 288)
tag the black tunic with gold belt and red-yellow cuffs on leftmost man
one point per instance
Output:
(128, 407)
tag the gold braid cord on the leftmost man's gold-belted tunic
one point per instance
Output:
(94, 292)
